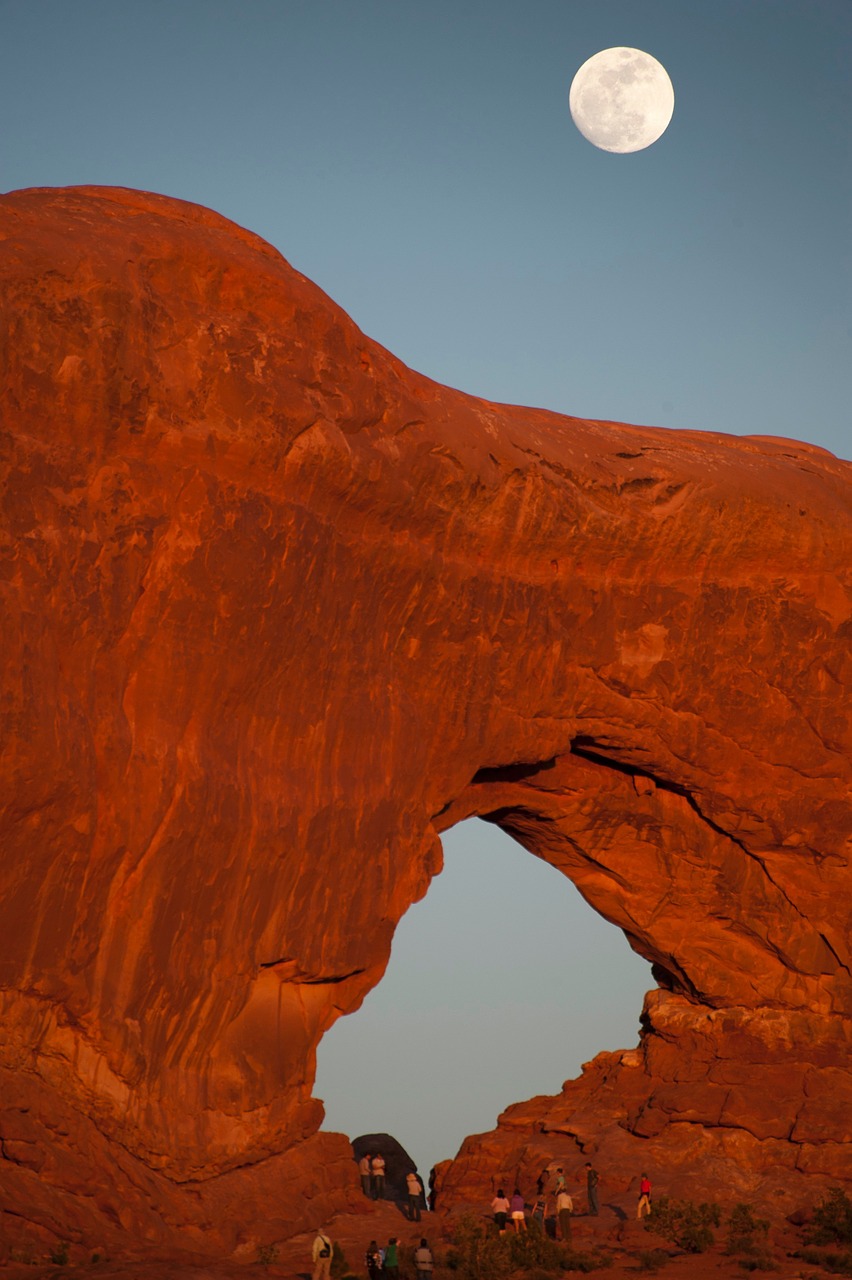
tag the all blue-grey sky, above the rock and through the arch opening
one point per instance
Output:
(418, 161)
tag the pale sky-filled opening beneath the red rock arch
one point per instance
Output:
(502, 982)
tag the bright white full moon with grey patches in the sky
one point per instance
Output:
(622, 100)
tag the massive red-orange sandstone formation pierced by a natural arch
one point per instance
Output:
(280, 611)
